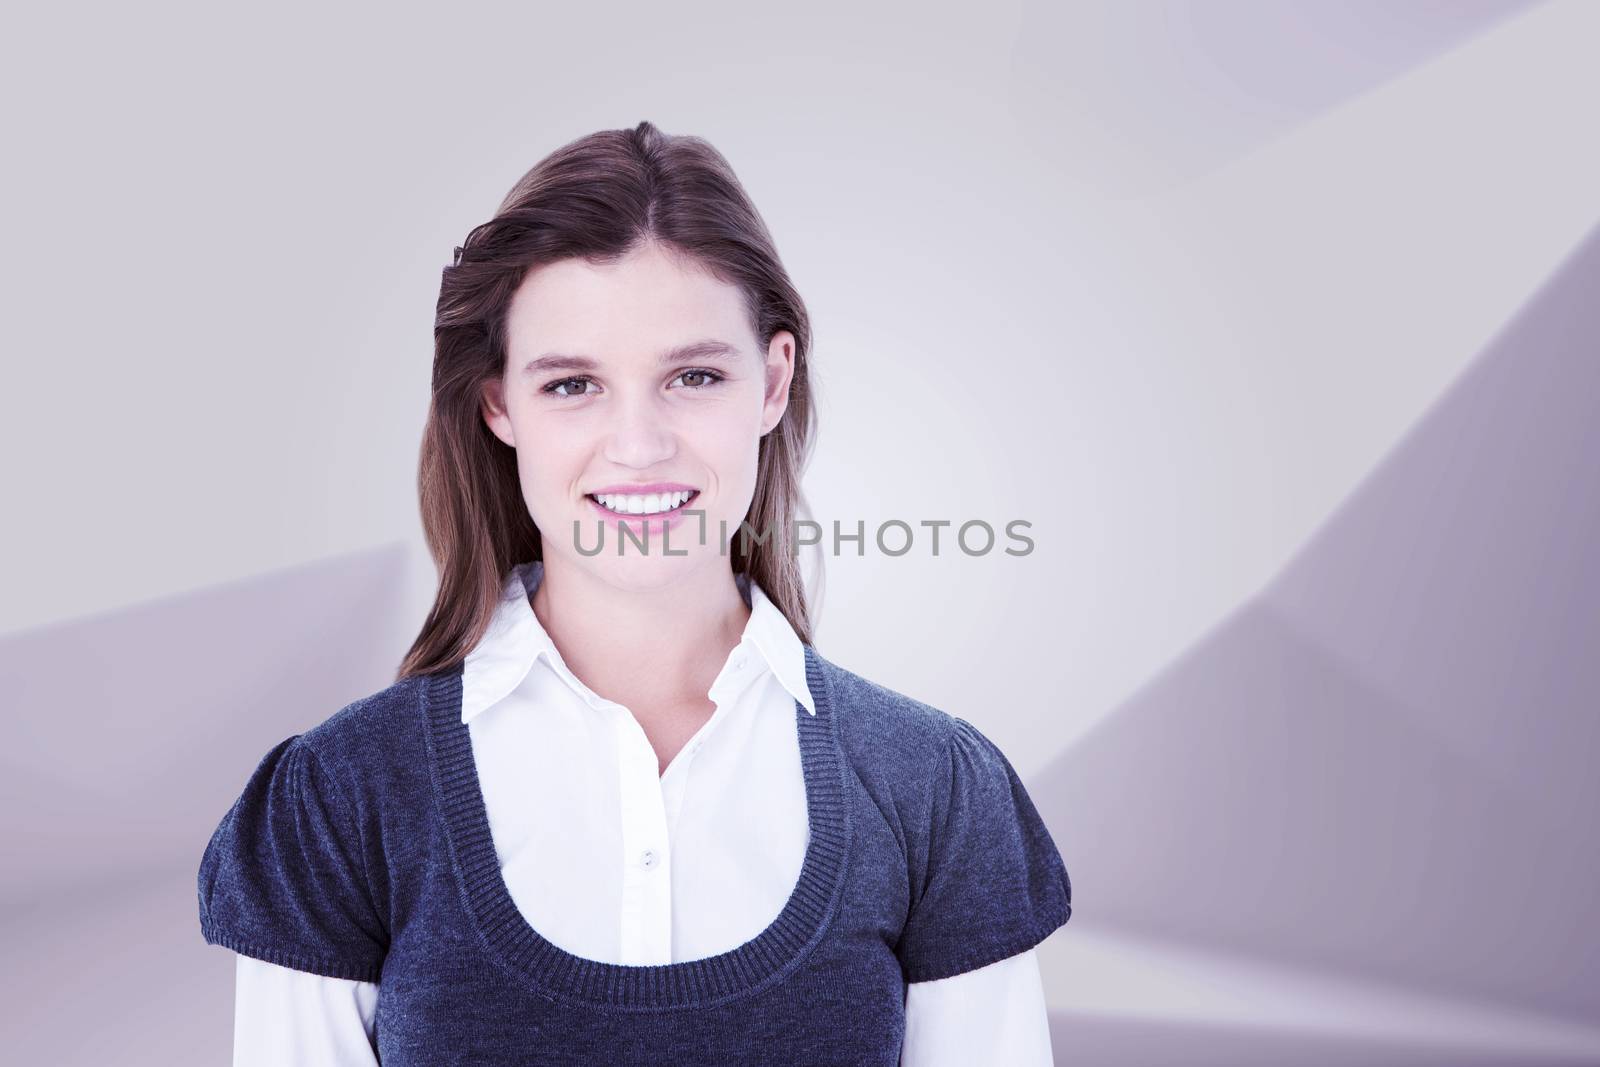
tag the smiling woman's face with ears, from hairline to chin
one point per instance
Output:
(636, 375)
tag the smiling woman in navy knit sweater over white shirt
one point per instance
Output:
(617, 807)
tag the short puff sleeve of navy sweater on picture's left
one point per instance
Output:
(284, 879)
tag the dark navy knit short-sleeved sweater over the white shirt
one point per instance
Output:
(362, 850)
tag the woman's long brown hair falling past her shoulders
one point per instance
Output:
(596, 199)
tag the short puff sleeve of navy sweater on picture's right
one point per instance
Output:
(993, 882)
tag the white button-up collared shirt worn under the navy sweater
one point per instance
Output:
(657, 866)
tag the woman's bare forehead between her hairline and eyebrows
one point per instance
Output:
(625, 310)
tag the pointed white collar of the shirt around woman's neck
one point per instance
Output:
(516, 641)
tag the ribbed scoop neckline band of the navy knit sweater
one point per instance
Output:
(508, 933)
